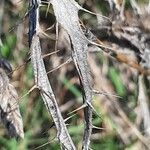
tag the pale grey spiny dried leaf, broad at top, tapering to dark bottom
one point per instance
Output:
(66, 13)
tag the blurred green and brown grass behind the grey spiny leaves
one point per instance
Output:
(120, 124)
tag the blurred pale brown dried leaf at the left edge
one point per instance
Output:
(9, 109)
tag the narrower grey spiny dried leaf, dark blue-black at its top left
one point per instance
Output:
(42, 82)
